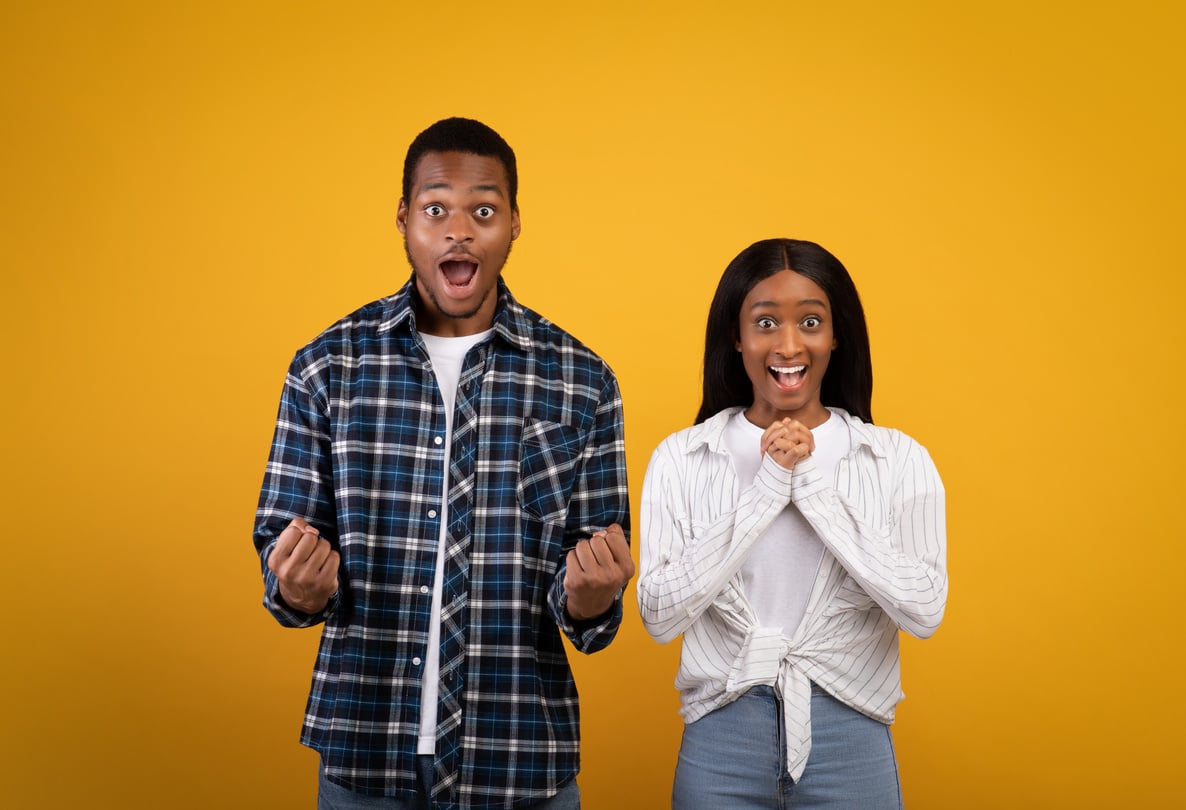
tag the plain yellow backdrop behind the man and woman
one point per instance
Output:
(192, 192)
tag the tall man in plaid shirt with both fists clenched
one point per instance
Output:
(448, 494)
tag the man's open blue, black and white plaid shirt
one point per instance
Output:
(538, 463)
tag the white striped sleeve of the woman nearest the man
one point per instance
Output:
(687, 565)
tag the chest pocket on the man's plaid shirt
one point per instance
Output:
(547, 469)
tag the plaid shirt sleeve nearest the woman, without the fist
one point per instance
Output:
(600, 500)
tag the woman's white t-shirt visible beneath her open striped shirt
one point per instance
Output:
(781, 570)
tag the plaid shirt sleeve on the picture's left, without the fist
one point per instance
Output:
(298, 482)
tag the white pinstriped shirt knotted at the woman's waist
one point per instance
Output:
(883, 525)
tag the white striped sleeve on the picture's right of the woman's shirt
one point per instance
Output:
(901, 563)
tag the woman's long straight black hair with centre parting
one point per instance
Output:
(849, 382)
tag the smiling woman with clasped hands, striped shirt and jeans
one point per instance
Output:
(788, 540)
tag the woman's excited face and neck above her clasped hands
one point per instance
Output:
(786, 340)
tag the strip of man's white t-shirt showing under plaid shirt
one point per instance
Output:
(448, 356)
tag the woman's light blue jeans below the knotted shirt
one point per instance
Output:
(736, 760)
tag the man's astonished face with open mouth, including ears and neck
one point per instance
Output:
(458, 228)
